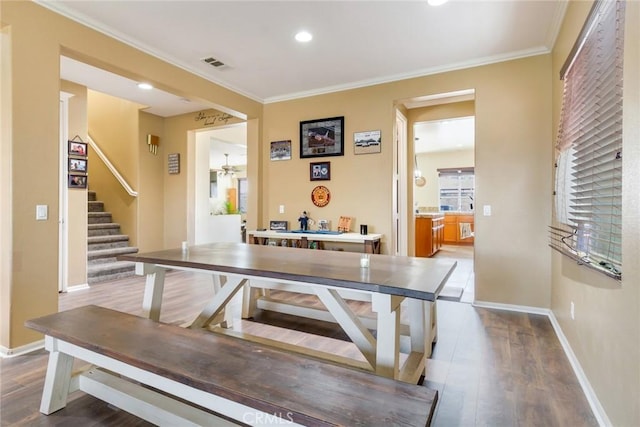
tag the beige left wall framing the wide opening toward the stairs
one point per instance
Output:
(32, 130)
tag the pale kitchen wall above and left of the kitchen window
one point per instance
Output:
(428, 164)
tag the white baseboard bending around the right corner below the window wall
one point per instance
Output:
(594, 403)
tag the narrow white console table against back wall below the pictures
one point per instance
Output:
(370, 242)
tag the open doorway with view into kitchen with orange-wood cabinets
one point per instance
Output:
(445, 157)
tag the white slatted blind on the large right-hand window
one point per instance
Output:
(589, 168)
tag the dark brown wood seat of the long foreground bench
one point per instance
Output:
(307, 391)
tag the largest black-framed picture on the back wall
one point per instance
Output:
(323, 137)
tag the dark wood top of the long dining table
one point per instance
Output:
(419, 278)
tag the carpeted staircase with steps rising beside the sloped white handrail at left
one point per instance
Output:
(104, 244)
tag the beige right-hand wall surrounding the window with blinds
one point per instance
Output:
(605, 335)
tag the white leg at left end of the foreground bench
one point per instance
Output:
(57, 380)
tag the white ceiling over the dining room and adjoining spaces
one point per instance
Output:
(356, 43)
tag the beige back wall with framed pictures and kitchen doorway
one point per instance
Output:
(512, 168)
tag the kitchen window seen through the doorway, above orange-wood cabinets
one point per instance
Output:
(457, 189)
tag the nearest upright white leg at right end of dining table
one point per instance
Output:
(387, 308)
